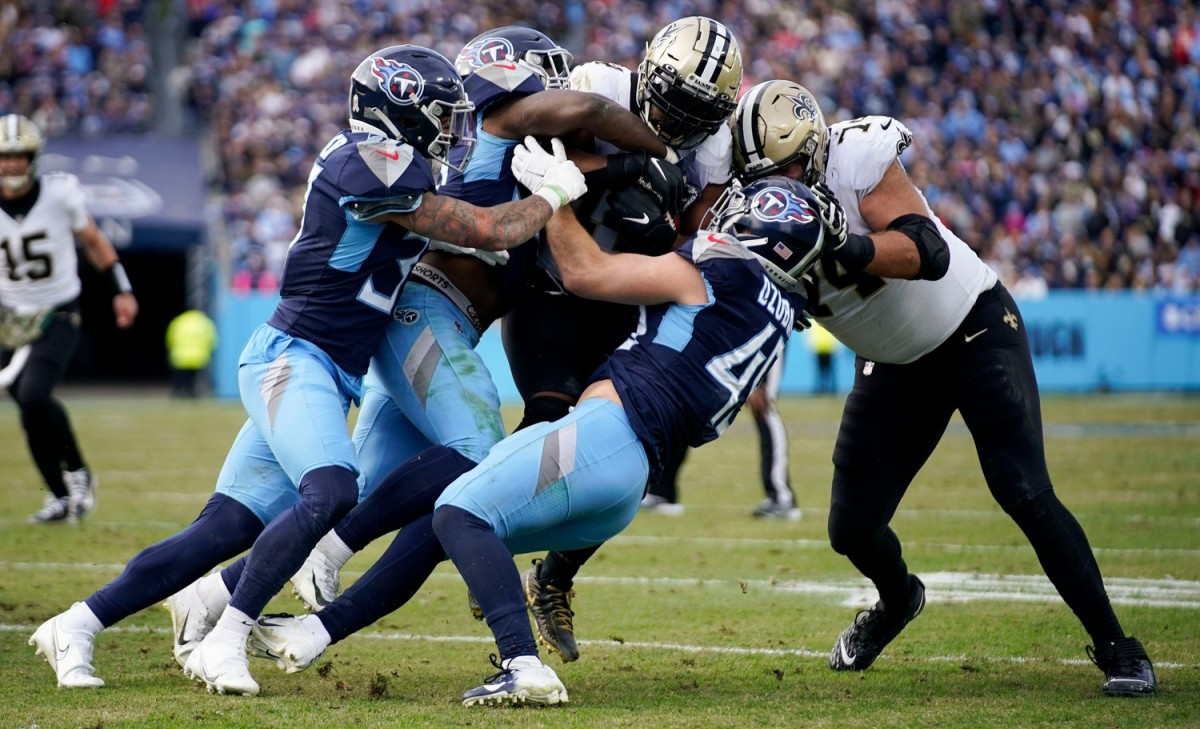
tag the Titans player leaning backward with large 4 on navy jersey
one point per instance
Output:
(578, 481)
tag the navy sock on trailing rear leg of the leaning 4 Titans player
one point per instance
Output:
(389, 583)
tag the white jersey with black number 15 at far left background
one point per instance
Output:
(39, 264)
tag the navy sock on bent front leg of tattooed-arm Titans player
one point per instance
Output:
(327, 495)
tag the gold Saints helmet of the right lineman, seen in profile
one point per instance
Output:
(776, 125)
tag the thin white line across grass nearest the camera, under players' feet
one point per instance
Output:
(803, 653)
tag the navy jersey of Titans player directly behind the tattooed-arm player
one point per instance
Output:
(488, 179)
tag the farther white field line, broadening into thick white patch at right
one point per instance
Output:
(951, 588)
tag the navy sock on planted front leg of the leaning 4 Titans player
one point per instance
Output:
(491, 576)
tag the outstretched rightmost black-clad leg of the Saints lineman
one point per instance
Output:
(1001, 406)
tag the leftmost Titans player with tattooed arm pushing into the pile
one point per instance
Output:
(369, 215)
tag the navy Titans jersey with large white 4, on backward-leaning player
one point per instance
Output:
(688, 370)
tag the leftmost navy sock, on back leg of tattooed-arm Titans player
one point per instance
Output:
(224, 529)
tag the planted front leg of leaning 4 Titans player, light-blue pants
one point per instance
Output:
(567, 485)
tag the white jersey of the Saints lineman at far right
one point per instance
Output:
(891, 321)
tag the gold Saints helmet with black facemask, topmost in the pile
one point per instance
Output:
(688, 83)
